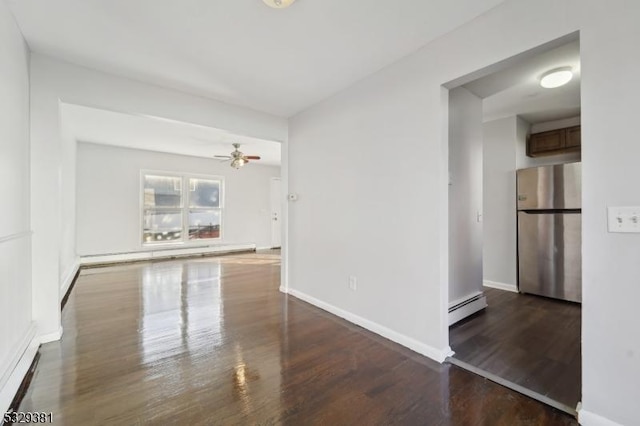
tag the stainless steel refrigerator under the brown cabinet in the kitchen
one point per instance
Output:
(550, 231)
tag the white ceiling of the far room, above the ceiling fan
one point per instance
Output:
(153, 134)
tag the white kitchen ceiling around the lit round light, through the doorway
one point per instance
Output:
(516, 90)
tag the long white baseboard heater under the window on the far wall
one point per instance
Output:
(162, 254)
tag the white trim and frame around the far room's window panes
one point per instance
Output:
(184, 208)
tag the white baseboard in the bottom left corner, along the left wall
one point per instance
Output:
(13, 373)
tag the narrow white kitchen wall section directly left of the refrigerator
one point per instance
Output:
(499, 191)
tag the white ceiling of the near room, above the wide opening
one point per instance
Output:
(241, 51)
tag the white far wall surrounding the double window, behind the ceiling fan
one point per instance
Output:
(108, 197)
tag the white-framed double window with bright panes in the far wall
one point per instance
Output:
(180, 208)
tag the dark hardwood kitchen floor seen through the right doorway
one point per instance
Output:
(529, 340)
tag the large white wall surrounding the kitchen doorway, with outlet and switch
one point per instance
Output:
(402, 109)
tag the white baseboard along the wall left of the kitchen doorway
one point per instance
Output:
(419, 347)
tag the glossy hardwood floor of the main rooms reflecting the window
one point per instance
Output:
(211, 341)
